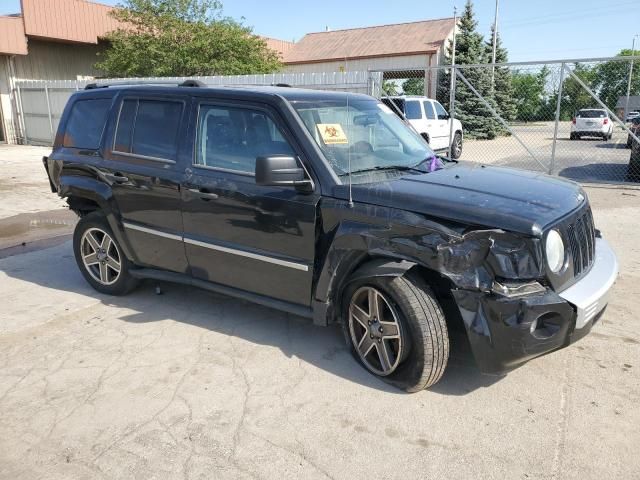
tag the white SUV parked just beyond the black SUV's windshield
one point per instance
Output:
(430, 119)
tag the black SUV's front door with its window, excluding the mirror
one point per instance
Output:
(255, 238)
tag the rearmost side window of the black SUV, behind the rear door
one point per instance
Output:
(86, 123)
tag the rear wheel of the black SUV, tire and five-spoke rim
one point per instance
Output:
(99, 257)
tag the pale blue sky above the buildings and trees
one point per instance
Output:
(531, 30)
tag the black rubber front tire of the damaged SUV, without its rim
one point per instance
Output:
(421, 315)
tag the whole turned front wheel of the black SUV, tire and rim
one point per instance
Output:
(396, 329)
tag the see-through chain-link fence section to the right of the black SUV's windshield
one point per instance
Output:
(568, 119)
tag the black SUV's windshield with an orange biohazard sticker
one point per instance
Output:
(365, 133)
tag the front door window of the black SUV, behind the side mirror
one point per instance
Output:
(232, 138)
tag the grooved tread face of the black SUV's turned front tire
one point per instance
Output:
(425, 310)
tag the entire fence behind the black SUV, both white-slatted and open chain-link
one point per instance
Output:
(565, 118)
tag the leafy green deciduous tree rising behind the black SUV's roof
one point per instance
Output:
(182, 38)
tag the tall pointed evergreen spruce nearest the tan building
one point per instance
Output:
(477, 120)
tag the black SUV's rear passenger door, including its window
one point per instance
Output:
(142, 163)
